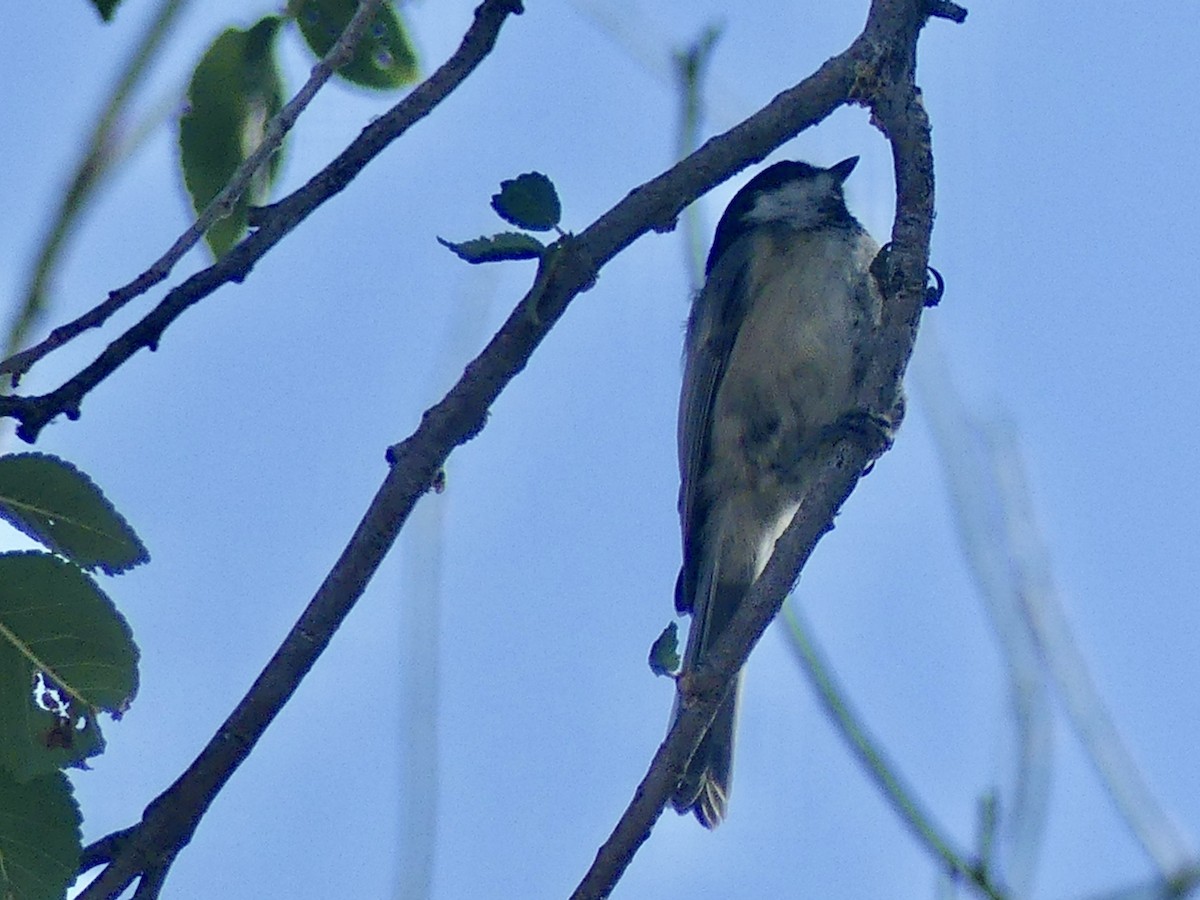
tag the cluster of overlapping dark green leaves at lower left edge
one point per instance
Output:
(67, 656)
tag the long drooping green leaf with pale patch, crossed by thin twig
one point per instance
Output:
(236, 91)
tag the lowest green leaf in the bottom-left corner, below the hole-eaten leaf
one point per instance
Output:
(40, 842)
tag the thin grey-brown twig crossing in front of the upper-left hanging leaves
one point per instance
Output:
(273, 137)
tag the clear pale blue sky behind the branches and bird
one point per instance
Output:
(245, 451)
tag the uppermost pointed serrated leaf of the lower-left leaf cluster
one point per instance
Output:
(52, 502)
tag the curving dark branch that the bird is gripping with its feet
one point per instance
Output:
(878, 70)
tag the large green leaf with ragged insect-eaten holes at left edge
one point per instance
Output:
(67, 655)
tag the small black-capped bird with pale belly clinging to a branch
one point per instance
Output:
(777, 346)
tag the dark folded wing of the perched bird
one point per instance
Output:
(712, 333)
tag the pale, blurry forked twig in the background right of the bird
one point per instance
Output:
(1011, 562)
